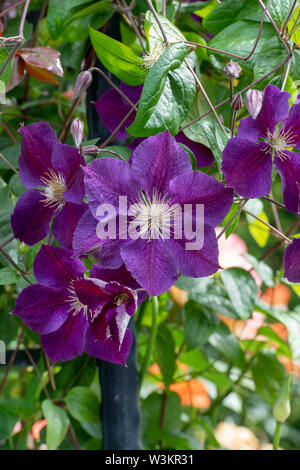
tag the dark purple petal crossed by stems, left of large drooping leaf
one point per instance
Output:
(112, 108)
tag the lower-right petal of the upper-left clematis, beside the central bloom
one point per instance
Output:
(68, 218)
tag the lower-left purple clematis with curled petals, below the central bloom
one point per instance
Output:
(74, 314)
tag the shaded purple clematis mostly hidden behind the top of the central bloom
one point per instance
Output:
(112, 109)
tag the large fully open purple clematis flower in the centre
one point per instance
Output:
(159, 182)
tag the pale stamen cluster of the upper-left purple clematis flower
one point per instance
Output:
(55, 188)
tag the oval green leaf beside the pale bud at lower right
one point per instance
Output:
(268, 374)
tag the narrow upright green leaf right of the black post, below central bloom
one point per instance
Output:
(165, 348)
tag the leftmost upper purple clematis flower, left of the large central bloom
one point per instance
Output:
(55, 167)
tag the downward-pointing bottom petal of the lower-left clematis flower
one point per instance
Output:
(68, 341)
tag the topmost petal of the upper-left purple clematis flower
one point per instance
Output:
(37, 144)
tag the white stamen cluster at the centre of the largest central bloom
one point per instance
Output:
(153, 216)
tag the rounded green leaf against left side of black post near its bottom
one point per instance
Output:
(83, 404)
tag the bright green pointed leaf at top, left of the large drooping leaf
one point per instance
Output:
(118, 58)
